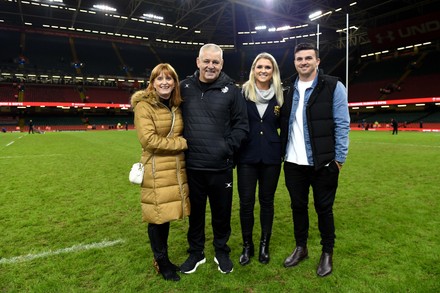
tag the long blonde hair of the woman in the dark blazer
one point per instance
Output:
(250, 87)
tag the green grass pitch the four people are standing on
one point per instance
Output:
(71, 222)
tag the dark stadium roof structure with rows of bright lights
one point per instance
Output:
(230, 23)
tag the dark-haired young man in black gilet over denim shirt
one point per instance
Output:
(315, 124)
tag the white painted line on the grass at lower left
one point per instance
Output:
(75, 248)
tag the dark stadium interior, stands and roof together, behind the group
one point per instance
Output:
(69, 51)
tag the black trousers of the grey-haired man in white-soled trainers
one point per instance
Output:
(217, 186)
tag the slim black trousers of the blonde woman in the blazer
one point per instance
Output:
(248, 175)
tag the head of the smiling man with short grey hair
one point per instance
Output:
(210, 64)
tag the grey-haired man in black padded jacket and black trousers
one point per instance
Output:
(215, 119)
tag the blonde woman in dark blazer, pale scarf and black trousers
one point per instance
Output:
(259, 159)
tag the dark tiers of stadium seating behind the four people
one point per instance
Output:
(416, 75)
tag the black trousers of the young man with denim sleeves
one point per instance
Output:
(324, 183)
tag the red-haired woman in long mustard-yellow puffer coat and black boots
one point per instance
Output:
(164, 190)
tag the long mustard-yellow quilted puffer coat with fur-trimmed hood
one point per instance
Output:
(164, 190)
